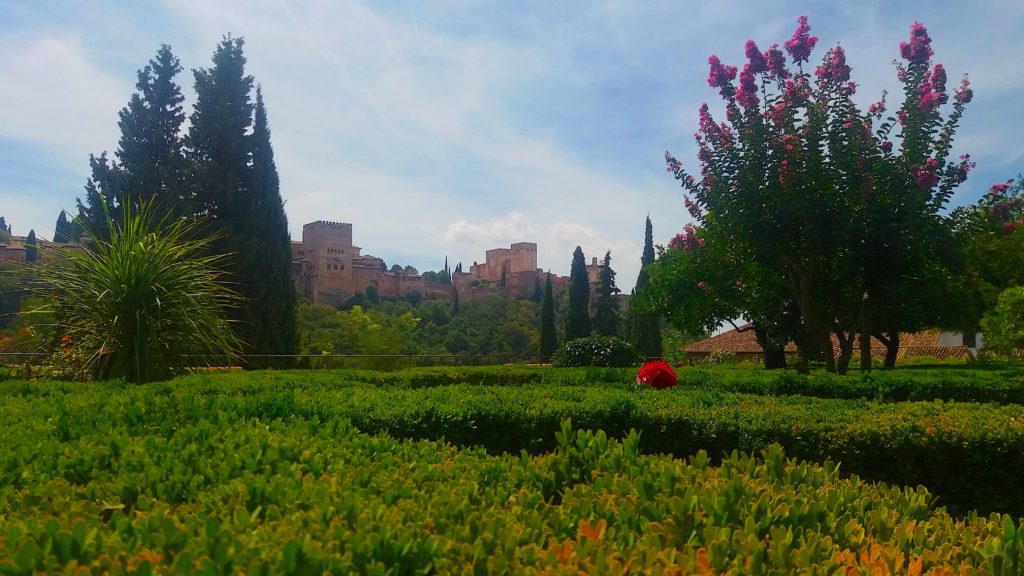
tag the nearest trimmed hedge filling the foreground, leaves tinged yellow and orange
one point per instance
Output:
(179, 479)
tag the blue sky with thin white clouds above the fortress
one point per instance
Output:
(447, 129)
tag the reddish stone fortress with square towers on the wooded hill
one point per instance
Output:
(329, 269)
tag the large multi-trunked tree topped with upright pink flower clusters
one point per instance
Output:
(842, 205)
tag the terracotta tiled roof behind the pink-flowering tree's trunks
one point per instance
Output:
(743, 341)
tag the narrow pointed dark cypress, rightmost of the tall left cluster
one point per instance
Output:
(269, 251)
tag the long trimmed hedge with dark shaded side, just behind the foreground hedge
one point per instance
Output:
(967, 455)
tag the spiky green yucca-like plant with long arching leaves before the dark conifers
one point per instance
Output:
(143, 302)
